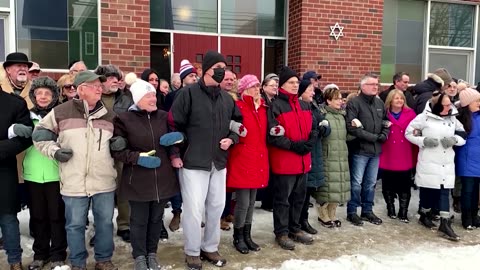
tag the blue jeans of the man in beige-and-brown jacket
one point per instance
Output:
(76, 211)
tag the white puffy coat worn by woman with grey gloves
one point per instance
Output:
(435, 166)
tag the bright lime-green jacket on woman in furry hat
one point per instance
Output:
(37, 167)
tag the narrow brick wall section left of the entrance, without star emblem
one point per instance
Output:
(126, 34)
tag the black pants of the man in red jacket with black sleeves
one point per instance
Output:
(289, 195)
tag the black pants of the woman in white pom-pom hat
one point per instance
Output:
(145, 226)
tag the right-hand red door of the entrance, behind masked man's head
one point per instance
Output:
(243, 55)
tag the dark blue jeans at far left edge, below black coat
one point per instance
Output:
(11, 238)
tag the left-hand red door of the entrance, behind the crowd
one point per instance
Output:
(192, 48)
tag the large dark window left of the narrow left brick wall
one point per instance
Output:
(56, 34)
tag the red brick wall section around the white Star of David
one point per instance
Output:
(342, 62)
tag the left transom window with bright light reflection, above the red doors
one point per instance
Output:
(188, 15)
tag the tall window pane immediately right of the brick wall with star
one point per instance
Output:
(402, 40)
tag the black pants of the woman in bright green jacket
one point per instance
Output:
(47, 221)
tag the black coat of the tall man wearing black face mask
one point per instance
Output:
(203, 114)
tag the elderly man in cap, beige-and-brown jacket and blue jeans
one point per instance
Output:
(77, 134)
